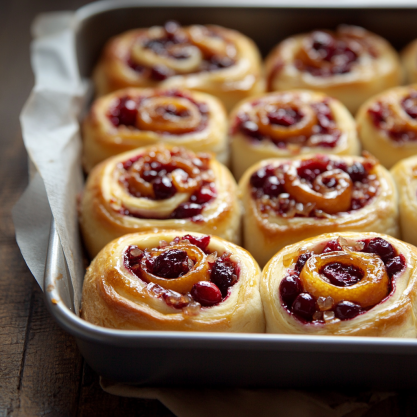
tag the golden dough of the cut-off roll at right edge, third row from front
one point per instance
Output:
(377, 140)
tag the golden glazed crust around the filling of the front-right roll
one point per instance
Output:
(393, 317)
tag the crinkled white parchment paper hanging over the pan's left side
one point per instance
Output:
(51, 135)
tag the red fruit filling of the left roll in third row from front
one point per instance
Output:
(167, 112)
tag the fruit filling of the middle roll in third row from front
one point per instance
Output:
(297, 125)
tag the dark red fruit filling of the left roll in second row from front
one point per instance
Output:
(161, 174)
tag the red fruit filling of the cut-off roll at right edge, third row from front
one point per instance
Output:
(398, 125)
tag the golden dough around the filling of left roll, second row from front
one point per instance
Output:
(101, 220)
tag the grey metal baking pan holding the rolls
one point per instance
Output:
(218, 359)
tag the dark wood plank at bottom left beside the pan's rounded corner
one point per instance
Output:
(52, 365)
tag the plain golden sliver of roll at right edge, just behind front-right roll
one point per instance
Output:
(405, 177)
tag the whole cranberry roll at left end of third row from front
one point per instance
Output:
(130, 118)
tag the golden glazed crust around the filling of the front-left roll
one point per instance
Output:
(114, 297)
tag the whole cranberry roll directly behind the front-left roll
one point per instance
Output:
(158, 187)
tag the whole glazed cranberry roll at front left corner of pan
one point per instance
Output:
(173, 280)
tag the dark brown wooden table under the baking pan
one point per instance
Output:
(41, 369)
